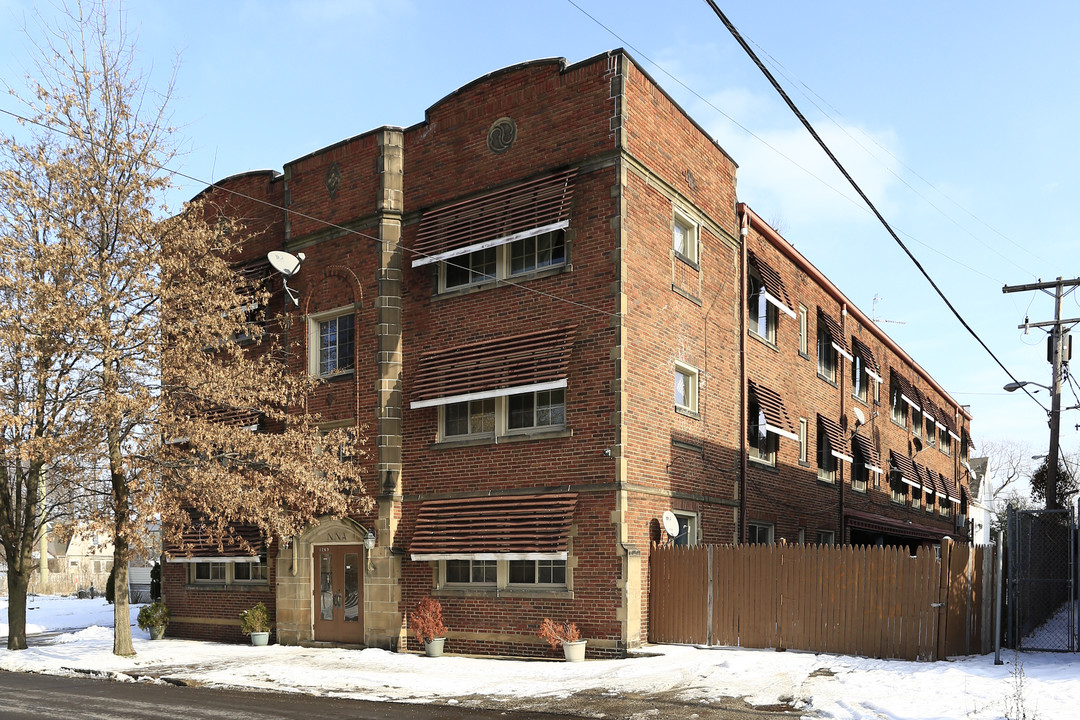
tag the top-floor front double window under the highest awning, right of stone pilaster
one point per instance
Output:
(508, 261)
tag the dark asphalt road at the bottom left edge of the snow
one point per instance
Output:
(24, 697)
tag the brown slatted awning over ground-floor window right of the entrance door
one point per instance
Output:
(503, 527)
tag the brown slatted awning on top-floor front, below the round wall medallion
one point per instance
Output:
(497, 219)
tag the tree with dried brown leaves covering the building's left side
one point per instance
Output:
(146, 329)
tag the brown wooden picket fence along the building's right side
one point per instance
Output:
(872, 602)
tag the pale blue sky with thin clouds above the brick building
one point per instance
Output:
(958, 119)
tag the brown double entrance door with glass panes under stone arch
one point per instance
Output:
(339, 593)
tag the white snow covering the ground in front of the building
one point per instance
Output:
(820, 686)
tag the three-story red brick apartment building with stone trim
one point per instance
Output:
(555, 322)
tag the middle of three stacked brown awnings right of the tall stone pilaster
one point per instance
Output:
(530, 362)
